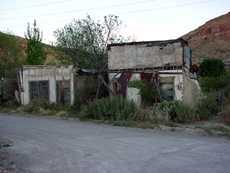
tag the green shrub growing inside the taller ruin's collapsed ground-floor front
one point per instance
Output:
(147, 92)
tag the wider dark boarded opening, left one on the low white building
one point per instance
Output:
(39, 90)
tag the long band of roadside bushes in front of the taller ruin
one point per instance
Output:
(120, 109)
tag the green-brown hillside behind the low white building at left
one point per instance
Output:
(13, 50)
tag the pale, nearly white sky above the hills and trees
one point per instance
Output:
(142, 19)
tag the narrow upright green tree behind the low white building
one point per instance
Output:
(35, 52)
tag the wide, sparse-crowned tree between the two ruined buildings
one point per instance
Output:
(86, 40)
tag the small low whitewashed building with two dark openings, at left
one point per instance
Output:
(52, 83)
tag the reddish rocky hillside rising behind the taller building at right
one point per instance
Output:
(211, 40)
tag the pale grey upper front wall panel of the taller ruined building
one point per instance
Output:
(144, 56)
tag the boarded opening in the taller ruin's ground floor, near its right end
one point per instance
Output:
(167, 88)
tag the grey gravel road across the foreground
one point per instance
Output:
(48, 145)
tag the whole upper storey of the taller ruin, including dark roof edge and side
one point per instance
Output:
(150, 54)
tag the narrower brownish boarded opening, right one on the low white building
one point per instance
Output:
(63, 92)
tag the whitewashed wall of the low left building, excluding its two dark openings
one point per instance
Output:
(46, 73)
